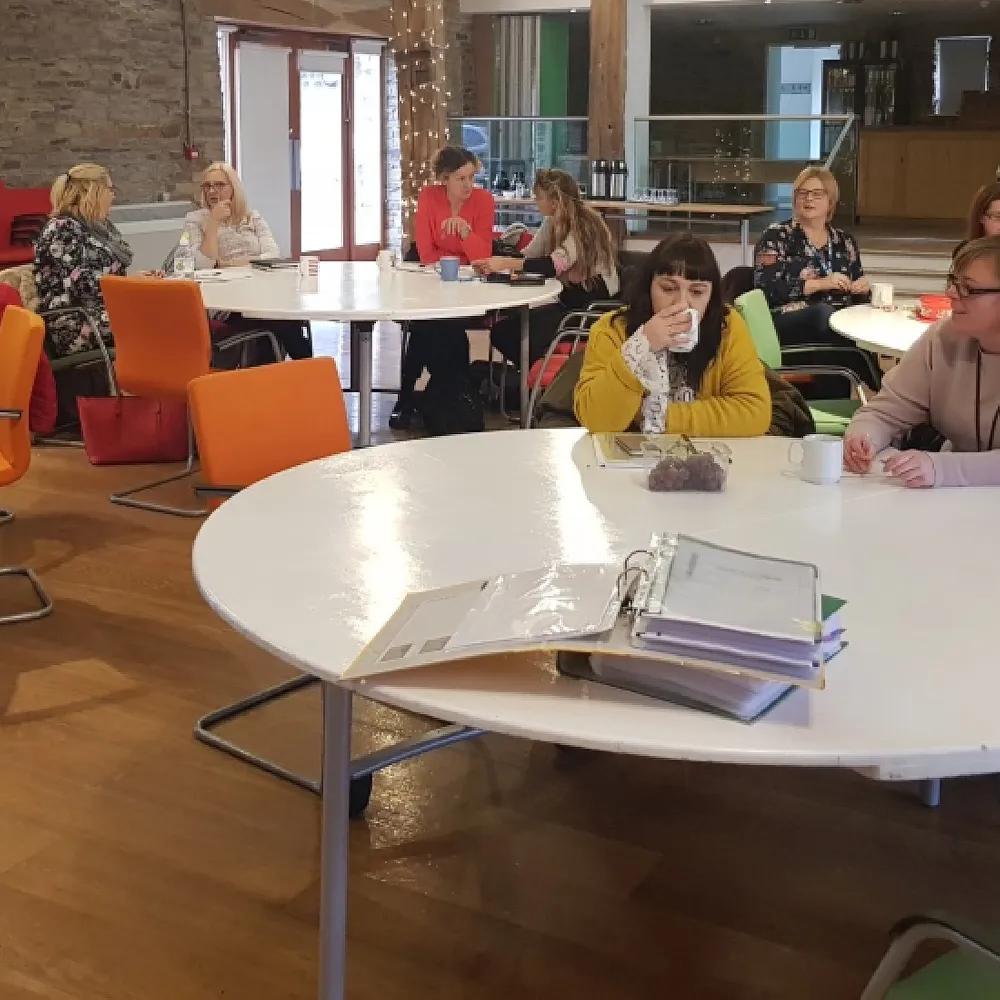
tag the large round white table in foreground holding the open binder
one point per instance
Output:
(914, 696)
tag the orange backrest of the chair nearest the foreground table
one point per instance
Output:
(254, 422)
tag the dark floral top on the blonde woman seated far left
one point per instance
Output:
(71, 257)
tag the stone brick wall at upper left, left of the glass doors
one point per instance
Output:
(104, 81)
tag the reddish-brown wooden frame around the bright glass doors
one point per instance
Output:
(298, 40)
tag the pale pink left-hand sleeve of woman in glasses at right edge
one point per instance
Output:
(904, 400)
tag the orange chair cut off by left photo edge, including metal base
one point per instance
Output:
(21, 336)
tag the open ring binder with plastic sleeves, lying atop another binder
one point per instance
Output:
(673, 604)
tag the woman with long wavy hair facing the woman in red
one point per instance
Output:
(572, 244)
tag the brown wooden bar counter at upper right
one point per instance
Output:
(924, 173)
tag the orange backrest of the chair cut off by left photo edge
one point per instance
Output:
(21, 335)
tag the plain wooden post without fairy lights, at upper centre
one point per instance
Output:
(607, 79)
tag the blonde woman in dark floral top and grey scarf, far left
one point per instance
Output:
(77, 247)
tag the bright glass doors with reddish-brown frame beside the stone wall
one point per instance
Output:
(306, 129)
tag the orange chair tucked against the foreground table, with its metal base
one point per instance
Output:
(251, 424)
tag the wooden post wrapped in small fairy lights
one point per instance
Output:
(418, 45)
